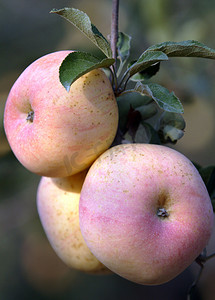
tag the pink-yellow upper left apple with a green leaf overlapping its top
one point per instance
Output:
(68, 131)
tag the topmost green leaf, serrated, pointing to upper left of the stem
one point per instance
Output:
(81, 21)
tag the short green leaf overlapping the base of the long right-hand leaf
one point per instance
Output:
(146, 60)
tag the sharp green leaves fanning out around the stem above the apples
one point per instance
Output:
(146, 66)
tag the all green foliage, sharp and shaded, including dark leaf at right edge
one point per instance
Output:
(154, 115)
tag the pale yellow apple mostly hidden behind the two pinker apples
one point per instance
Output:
(58, 208)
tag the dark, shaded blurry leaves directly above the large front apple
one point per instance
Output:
(142, 121)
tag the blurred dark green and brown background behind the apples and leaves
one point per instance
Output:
(29, 268)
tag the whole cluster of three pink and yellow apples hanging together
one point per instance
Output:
(141, 211)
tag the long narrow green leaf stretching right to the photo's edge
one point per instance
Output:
(188, 48)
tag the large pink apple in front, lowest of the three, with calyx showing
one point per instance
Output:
(118, 212)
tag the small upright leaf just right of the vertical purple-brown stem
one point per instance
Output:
(123, 46)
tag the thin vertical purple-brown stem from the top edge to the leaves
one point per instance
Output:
(114, 36)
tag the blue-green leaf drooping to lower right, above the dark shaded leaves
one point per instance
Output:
(165, 100)
